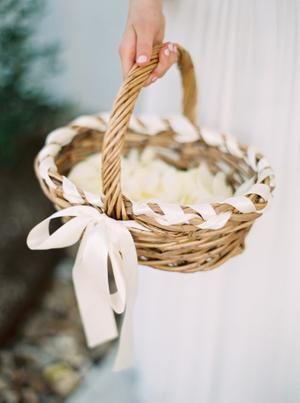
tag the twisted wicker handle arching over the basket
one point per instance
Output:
(114, 203)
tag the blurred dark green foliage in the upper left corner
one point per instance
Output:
(25, 109)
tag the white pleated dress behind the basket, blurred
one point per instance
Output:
(232, 335)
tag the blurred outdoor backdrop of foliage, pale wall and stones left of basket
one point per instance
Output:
(58, 60)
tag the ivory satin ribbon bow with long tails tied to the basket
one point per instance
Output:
(103, 238)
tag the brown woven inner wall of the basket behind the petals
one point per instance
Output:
(183, 156)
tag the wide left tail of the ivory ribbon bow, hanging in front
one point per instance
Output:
(90, 281)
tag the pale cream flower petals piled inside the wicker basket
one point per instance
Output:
(146, 177)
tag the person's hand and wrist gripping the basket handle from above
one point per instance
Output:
(144, 28)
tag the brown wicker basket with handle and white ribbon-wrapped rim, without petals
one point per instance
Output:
(204, 236)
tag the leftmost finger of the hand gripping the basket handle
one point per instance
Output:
(127, 50)
